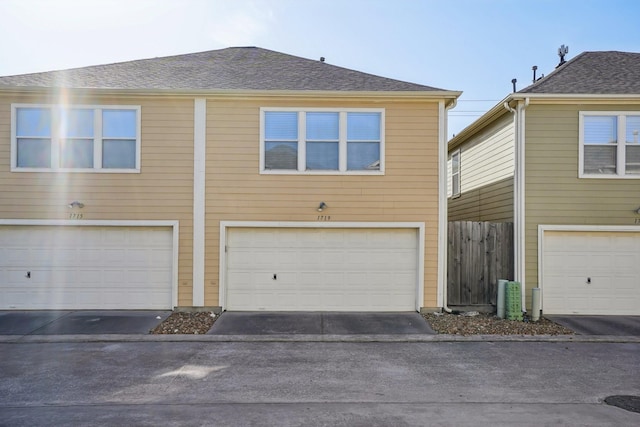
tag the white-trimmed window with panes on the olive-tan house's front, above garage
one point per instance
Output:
(609, 144)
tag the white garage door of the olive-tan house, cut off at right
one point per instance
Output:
(591, 273)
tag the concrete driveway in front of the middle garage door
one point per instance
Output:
(319, 323)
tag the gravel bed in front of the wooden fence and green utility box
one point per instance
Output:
(490, 324)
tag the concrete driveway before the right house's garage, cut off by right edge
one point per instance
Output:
(600, 325)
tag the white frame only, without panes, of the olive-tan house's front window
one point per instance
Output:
(621, 145)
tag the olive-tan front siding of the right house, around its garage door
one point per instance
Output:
(554, 193)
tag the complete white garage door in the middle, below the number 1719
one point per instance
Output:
(297, 269)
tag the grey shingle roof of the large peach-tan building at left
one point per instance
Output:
(237, 68)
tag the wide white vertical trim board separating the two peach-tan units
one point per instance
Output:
(199, 179)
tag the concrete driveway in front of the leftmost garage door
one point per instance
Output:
(79, 322)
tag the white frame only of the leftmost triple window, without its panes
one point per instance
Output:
(56, 138)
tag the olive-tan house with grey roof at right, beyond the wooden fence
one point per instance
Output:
(561, 159)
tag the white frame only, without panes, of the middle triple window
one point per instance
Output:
(342, 144)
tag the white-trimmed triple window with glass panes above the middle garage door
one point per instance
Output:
(322, 141)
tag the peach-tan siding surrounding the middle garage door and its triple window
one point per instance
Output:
(236, 191)
